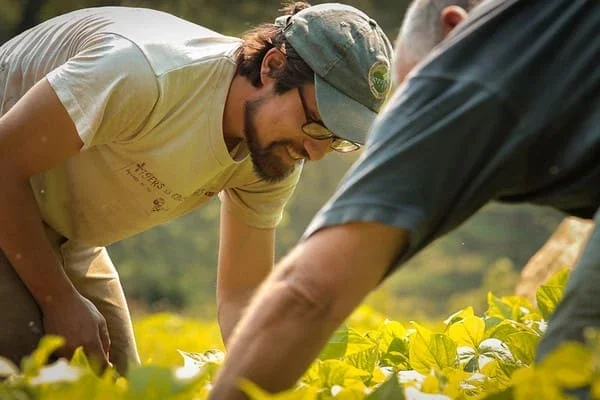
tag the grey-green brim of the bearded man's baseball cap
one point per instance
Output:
(344, 116)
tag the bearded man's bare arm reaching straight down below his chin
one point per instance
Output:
(246, 256)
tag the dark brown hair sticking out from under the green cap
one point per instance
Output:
(258, 41)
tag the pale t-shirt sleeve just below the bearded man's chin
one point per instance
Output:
(260, 204)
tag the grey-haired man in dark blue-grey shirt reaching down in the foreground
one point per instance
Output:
(506, 108)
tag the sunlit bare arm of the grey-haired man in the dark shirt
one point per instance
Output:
(305, 299)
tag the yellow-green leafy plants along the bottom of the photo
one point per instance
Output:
(471, 357)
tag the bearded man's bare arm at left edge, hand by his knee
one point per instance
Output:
(35, 135)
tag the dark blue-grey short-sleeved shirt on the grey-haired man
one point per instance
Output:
(508, 108)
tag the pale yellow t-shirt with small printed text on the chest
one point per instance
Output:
(146, 91)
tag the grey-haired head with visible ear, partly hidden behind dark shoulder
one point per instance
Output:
(426, 23)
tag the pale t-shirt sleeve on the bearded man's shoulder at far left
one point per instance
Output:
(108, 89)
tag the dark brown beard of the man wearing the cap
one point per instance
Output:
(268, 165)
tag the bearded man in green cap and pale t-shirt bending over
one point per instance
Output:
(114, 120)
